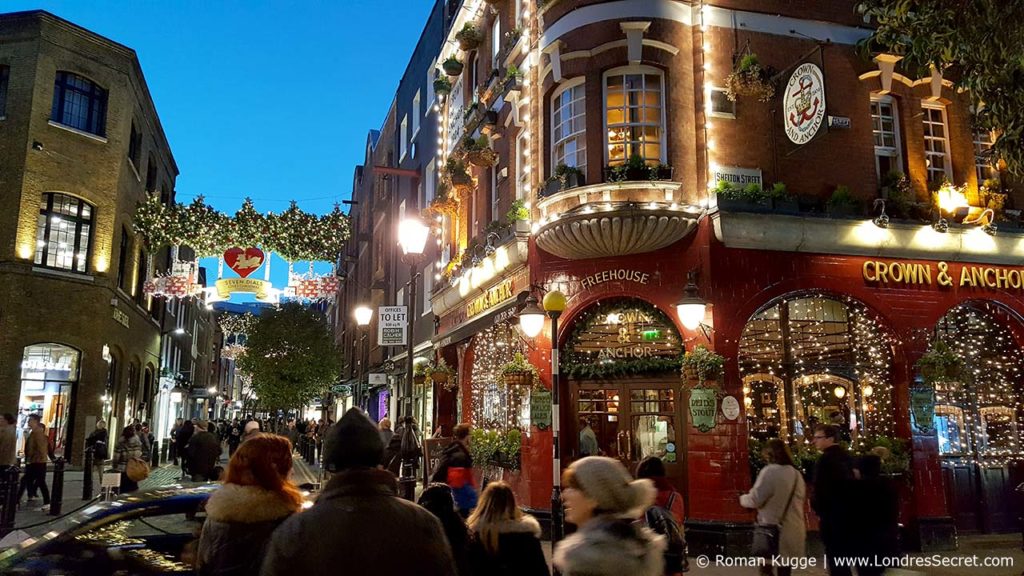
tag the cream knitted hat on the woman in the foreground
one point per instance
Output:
(610, 484)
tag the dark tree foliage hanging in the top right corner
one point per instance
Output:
(975, 44)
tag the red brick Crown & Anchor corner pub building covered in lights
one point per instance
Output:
(615, 168)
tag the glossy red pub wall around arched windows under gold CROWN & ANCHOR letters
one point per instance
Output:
(745, 281)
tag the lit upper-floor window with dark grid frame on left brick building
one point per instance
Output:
(64, 232)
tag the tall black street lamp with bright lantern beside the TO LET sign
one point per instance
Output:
(413, 239)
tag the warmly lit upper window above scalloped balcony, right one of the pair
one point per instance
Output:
(634, 108)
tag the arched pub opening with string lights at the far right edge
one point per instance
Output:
(978, 416)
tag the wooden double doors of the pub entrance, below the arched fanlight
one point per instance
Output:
(632, 420)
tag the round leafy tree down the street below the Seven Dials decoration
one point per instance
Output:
(291, 357)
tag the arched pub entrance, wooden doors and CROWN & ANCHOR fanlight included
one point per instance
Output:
(622, 361)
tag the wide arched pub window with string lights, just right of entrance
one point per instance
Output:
(816, 358)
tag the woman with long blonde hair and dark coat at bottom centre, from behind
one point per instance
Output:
(504, 542)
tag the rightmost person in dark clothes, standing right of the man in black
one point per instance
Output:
(877, 522)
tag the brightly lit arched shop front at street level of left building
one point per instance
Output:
(50, 374)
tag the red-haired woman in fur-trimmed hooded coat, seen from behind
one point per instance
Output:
(257, 498)
